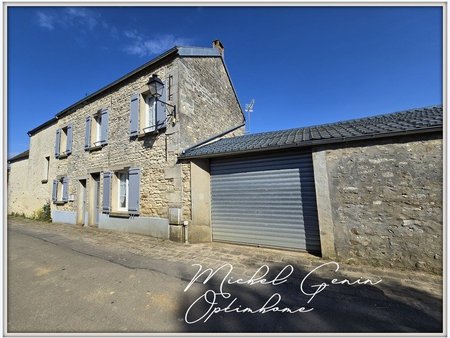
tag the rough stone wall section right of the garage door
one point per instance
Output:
(386, 199)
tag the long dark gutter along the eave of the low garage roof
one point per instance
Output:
(315, 143)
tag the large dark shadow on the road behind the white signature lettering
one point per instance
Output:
(385, 307)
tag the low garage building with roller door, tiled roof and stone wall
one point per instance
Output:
(362, 191)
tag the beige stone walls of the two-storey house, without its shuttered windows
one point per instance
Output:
(206, 106)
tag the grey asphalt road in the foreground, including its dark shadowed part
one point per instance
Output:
(59, 286)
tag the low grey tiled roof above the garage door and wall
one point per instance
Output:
(411, 121)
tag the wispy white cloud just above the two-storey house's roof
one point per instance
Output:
(157, 45)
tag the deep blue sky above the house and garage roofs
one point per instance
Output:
(302, 65)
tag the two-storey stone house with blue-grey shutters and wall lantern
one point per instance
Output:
(112, 156)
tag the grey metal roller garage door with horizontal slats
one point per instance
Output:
(265, 200)
